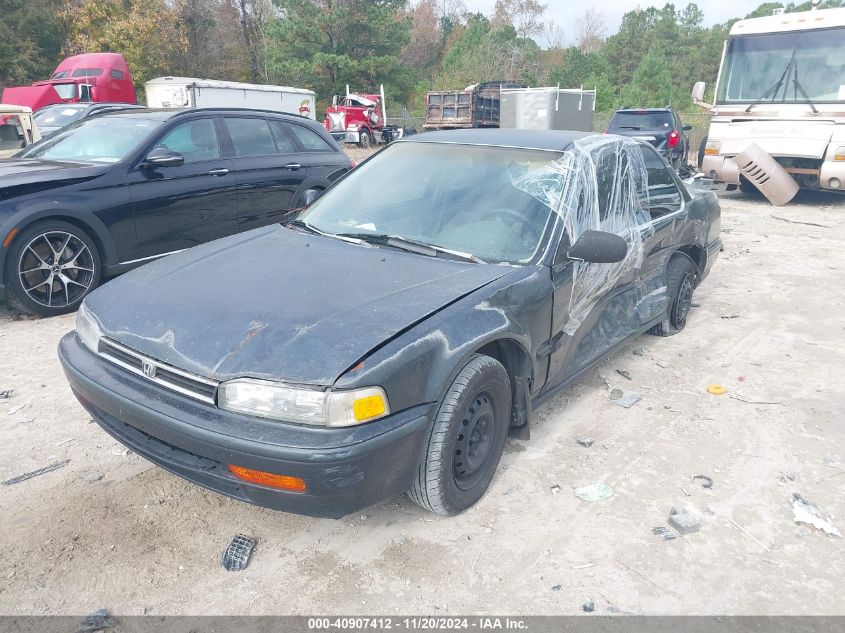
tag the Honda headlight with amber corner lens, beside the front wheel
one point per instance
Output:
(306, 406)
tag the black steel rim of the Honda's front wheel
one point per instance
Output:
(474, 441)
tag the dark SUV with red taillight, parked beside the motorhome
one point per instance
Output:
(661, 127)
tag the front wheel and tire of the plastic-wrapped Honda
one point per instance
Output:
(465, 444)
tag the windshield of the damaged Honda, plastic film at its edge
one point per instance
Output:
(466, 198)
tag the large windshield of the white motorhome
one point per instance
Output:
(763, 67)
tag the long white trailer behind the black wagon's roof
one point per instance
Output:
(189, 92)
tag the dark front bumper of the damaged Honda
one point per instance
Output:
(344, 469)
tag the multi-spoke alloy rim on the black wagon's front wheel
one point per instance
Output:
(56, 269)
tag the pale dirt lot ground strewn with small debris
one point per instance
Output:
(768, 326)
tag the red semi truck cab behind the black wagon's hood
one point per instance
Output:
(102, 77)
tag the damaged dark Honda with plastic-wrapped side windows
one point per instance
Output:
(389, 338)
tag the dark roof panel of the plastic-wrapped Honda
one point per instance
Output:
(550, 140)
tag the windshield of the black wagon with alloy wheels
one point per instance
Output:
(99, 140)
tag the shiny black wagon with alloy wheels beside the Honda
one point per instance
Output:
(113, 191)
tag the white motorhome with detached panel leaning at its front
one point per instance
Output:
(780, 98)
